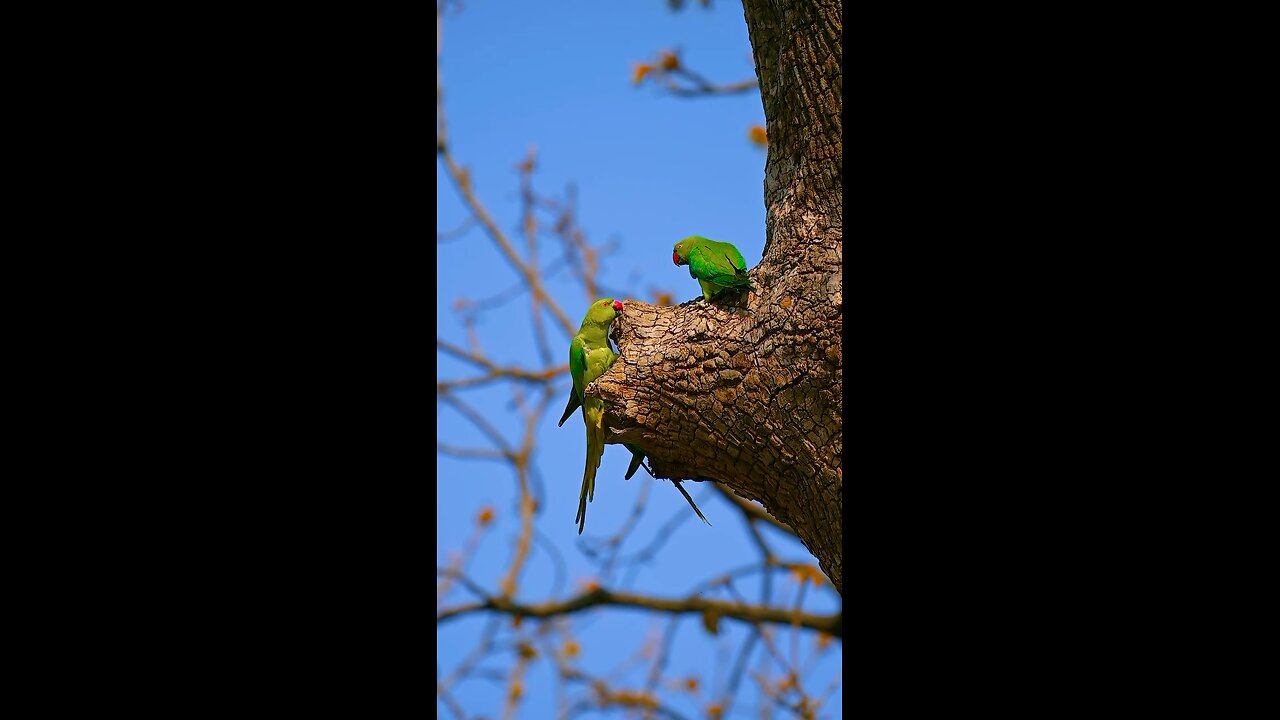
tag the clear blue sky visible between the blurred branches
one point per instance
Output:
(650, 168)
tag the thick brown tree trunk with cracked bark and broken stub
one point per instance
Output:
(749, 393)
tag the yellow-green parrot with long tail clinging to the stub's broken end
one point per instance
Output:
(589, 357)
